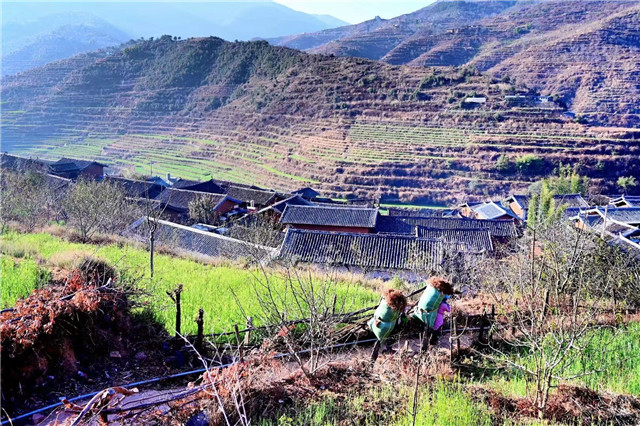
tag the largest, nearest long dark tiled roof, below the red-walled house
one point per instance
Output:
(369, 251)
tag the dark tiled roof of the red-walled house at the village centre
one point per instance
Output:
(330, 216)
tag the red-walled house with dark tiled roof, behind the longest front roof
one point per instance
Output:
(337, 219)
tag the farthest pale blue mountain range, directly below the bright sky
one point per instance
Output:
(229, 20)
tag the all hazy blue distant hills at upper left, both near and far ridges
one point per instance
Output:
(34, 34)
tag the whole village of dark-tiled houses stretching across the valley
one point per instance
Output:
(303, 226)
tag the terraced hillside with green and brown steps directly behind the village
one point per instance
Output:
(254, 113)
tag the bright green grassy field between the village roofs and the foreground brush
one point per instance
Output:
(205, 286)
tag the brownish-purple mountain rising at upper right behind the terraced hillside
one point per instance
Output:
(585, 52)
